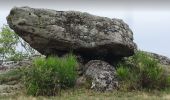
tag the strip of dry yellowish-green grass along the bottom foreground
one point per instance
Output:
(84, 94)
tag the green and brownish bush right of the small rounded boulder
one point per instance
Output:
(141, 71)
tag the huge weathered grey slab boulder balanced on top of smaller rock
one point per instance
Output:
(59, 32)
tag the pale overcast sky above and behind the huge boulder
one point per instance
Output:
(149, 20)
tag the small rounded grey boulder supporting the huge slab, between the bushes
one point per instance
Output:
(102, 75)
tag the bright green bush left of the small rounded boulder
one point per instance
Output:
(48, 76)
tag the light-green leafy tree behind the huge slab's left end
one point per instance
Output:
(9, 42)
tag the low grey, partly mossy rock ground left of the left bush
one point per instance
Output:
(10, 84)
